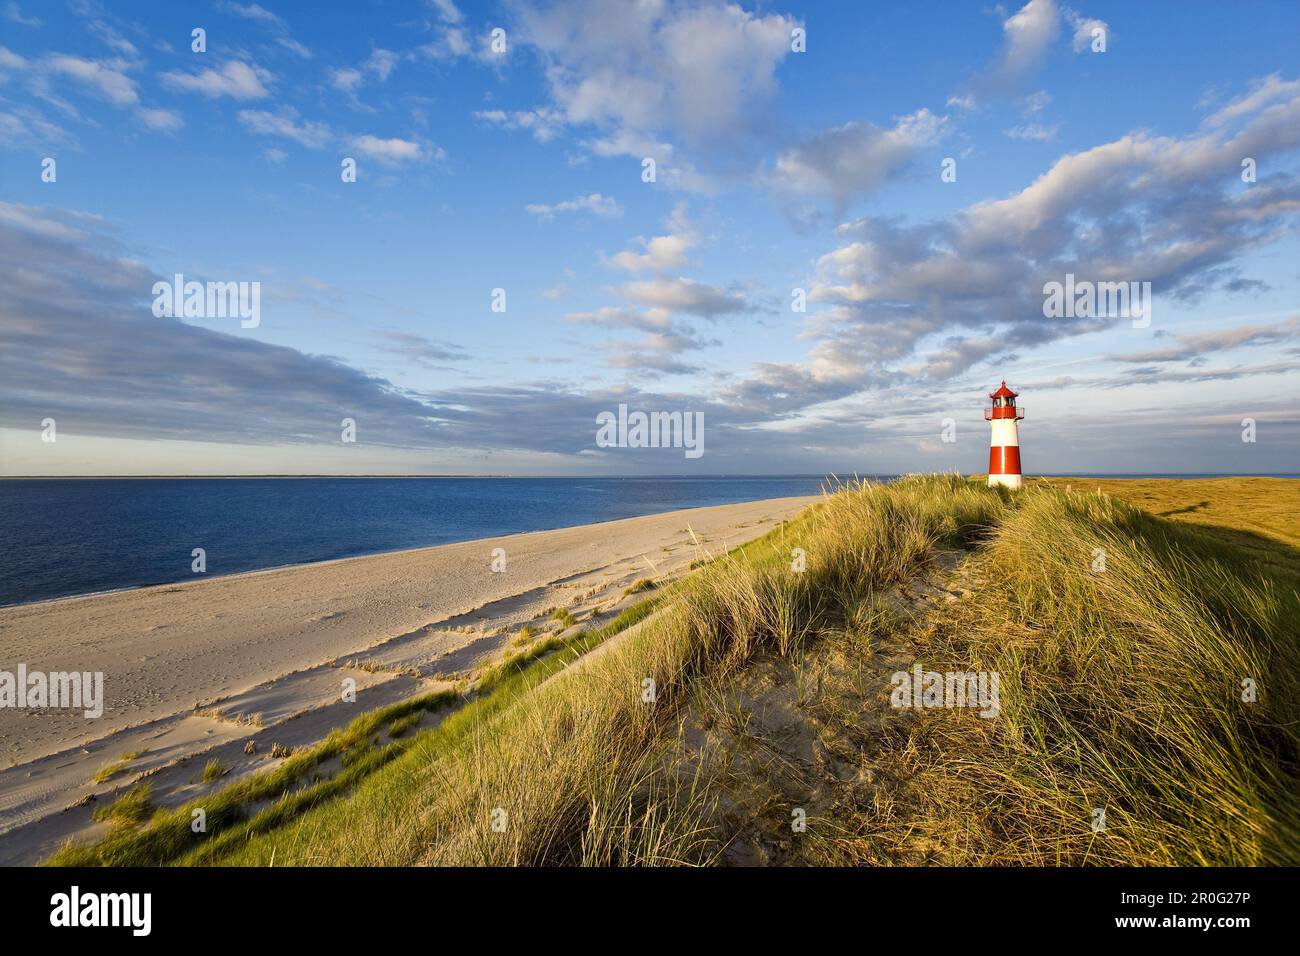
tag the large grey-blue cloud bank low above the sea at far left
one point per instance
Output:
(92, 371)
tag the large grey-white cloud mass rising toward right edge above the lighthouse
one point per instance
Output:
(1142, 209)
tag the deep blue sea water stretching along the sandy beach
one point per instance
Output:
(76, 537)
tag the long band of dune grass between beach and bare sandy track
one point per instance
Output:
(577, 771)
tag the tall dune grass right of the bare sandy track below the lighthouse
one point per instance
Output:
(1123, 695)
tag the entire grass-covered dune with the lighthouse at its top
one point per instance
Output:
(743, 716)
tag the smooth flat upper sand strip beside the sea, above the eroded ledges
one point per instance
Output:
(164, 650)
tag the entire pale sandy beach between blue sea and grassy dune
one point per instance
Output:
(203, 665)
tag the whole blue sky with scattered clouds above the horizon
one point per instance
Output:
(855, 215)
